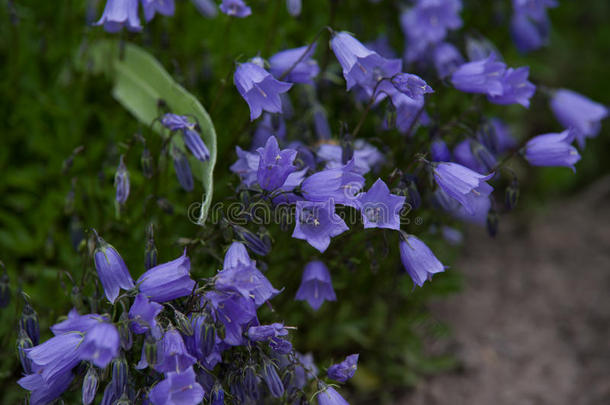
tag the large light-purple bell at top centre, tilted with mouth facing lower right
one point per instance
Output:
(362, 66)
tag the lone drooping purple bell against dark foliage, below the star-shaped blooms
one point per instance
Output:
(316, 285)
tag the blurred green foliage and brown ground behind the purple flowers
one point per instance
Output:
(522, 318)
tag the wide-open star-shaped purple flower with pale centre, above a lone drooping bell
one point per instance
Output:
(317, 222)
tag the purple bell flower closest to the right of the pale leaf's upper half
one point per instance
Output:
(259, 88)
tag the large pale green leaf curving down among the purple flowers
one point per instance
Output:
(140, 83)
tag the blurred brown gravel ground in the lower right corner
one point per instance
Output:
(532, 325)
